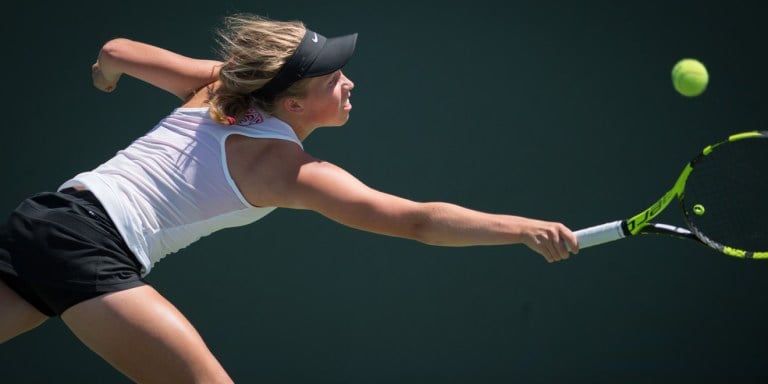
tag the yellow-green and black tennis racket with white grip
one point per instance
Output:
(723, 195)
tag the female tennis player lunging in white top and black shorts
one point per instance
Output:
(230, 154)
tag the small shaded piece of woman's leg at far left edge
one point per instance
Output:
(16, 314)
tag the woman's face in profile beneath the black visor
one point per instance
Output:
(327, 102)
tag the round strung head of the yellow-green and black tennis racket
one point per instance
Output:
(725, 198)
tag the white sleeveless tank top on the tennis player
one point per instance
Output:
(172, 186)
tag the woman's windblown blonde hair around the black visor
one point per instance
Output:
(253, 49)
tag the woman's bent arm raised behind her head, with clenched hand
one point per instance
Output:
(172, 72)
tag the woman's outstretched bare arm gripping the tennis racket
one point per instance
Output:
(292, 179)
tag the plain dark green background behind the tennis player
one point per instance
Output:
(546, 109)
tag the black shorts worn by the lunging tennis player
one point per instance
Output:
(58, 249)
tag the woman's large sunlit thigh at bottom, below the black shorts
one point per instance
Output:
(145, 337)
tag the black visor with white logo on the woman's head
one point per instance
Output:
(315, 56)
